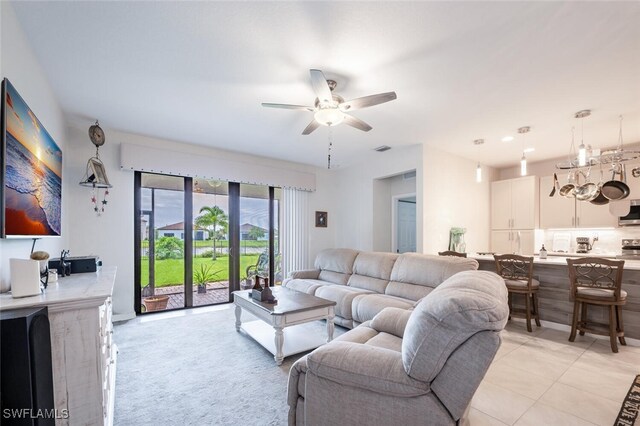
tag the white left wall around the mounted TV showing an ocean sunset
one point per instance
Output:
(19, 64)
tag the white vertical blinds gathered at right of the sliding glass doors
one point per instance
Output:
(295, 230)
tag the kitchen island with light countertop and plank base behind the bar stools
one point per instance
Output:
(553, 296)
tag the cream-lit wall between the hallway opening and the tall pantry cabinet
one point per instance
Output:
(452, 197)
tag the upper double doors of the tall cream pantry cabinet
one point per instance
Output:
(514, 203)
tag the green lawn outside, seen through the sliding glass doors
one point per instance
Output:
(171, 271)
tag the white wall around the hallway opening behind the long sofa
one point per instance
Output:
(354, 197)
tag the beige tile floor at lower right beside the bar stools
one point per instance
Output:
(541, 378)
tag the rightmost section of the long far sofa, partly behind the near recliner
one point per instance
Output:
(424, 270)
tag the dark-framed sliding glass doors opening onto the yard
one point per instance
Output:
(197, 240)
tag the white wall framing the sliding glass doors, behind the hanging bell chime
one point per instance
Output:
(111, 235)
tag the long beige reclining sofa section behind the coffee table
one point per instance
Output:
(364, 283)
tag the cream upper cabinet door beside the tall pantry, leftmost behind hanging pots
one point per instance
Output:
(556, 211)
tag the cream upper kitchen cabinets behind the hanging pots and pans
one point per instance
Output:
(562, 212)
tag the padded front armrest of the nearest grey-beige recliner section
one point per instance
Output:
(367, 367)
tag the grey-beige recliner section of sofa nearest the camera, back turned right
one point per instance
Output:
(405, 367)
